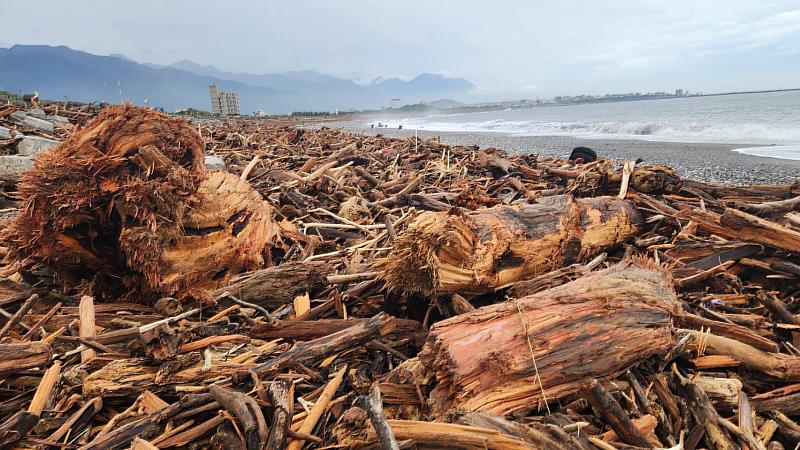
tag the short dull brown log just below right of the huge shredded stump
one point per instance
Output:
(279, 285)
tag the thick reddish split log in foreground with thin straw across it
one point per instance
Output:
(509, 357)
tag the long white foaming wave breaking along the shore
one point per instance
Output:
(669, 131)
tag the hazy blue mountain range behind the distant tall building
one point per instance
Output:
(56, 72)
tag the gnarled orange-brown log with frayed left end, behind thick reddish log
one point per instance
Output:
(482, 251)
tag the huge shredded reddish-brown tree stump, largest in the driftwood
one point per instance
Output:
(127, 203)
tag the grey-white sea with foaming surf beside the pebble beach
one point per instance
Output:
(769, 121)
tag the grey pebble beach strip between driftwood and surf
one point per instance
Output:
(713, 163)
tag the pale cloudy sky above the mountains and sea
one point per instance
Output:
(507, 48)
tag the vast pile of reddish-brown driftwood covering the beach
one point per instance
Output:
(331, 290)
